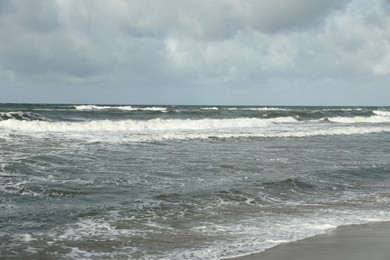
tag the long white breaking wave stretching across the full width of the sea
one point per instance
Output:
(184, 129)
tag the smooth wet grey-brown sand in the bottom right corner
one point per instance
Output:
(354, 242)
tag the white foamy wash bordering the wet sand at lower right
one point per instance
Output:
(258, 234)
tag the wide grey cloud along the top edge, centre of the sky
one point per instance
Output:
(207, 20)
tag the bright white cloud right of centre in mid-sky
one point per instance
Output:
(248, 53)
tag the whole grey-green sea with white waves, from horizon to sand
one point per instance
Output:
(185, 182)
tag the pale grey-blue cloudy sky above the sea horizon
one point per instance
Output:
(220, 52)
